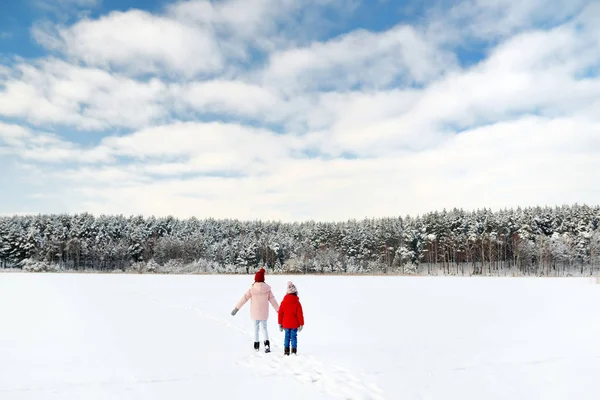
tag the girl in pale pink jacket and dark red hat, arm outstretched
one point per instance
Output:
(260, 295)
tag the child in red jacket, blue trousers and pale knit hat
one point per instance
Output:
(291, 319)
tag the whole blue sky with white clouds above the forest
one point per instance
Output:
(297, 110)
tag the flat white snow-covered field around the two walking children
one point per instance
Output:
(172, 337)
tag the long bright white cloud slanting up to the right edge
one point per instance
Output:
(535, 72)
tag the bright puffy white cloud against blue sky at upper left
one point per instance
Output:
(190, 39)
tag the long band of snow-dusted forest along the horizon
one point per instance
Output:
(560, 241)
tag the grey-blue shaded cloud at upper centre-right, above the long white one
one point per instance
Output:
(363, 58)
